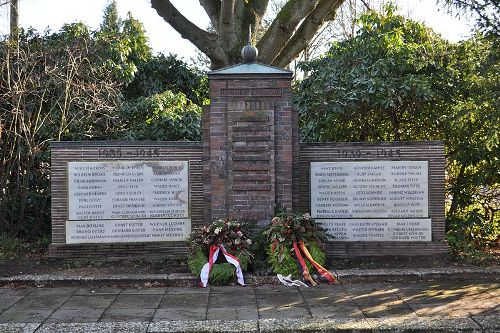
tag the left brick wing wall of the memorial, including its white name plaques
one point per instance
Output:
(125, 199)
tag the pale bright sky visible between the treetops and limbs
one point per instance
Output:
(52, 14)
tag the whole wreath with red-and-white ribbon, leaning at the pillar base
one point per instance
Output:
(222, 236)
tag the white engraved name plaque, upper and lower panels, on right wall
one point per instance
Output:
(372, 200)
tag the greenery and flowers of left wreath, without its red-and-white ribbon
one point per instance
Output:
(235, 240)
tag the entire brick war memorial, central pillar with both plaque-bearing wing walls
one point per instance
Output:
(142, 199)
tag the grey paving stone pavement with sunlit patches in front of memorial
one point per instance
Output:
(444, 306)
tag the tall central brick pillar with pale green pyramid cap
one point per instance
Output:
(250, 143)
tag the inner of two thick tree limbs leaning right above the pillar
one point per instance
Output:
(283, 27)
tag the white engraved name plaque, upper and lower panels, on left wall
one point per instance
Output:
(128, 201)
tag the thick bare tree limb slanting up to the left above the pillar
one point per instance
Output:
(202, 39)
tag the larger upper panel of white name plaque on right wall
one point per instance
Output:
(376, 189)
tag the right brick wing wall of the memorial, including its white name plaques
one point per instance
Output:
(383, 198)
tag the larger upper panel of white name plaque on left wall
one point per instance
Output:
(124, 190)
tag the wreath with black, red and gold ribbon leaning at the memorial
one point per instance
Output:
(291, 238)
